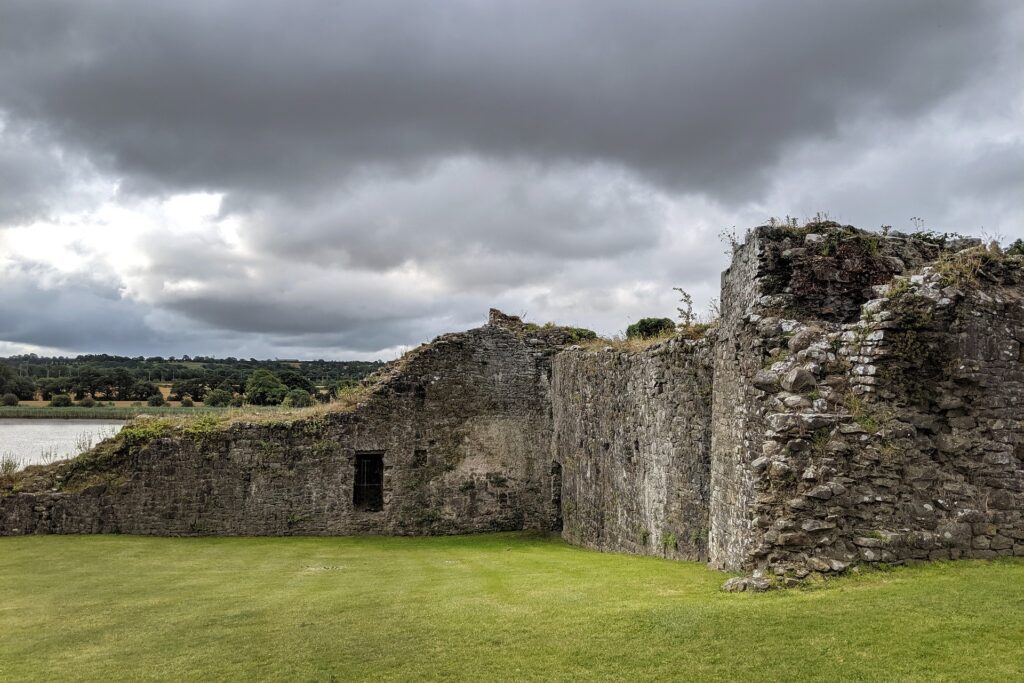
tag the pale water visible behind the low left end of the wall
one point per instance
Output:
(36, 442)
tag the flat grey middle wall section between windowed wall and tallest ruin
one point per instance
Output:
(633, 439)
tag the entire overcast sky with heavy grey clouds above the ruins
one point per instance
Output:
(344, 180)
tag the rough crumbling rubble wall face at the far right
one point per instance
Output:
(900, 437)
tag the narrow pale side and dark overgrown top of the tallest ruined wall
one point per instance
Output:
(779, 278)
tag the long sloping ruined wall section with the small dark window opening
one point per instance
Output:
(464, 426)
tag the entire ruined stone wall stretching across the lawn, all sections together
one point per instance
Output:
(860, 402)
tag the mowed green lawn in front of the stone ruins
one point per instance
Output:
(487, 608)
